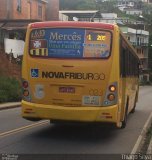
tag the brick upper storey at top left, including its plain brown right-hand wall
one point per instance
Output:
(40, 10)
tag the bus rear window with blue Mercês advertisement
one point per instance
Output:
(70, 43)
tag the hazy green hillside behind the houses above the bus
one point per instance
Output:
(107, 7)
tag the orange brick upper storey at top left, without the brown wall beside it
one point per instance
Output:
(23, 9)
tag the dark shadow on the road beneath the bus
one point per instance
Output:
(77, 132)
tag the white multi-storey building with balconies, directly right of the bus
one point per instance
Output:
(140, 40)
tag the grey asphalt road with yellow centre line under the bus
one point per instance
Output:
(19, 136)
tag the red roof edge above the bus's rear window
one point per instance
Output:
(72, 24)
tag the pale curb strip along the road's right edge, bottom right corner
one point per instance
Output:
(137, 147)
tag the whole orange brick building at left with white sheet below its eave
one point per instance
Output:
(15, 15)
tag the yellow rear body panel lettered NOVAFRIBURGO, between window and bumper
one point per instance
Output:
(82, 87)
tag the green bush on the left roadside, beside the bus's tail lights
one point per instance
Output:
(10, 90)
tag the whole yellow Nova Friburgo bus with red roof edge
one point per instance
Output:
(78, 72)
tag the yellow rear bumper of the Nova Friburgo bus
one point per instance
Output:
(80, 114)
